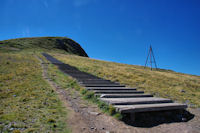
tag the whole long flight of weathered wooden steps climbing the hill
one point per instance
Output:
(124, 99)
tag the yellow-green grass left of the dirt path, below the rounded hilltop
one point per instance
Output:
(27, 102)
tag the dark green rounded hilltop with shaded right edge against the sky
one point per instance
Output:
(54, 44)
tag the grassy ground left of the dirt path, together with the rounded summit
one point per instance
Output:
(27, 102)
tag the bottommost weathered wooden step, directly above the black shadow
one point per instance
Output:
(149, 107)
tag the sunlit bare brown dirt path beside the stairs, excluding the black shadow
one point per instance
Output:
(87, 118)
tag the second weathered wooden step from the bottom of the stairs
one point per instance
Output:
(135, 101)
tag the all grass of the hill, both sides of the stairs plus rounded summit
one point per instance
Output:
(29, 104)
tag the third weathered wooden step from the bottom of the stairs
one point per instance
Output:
(123, 95)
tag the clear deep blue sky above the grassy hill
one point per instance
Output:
(113, 30)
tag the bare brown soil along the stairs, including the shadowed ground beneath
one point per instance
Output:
(84, 117)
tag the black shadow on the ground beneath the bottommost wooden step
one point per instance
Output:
(152, 119)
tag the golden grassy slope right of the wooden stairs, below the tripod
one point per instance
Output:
(164, 83)
